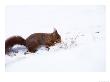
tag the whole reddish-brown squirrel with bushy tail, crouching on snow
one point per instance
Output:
(34, 41)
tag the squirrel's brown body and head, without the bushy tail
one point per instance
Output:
(35, 40)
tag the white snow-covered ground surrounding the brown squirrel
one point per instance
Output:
(82, 29)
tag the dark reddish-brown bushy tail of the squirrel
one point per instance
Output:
(10, 42)
